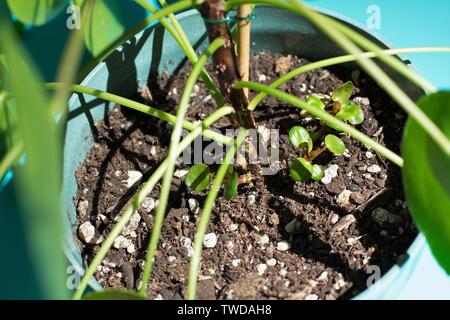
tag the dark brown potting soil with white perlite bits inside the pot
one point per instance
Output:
(334, 243)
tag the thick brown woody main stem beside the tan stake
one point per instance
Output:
(226, 63)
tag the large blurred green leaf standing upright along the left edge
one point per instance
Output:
(39, 179)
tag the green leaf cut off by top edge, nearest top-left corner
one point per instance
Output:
(36, 12)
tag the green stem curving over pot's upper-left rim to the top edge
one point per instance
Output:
(176, 7)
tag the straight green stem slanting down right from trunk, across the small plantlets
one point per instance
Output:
(327, 118)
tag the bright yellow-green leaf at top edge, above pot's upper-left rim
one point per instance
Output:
(102, 24)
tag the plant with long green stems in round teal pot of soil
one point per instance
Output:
(284, 215)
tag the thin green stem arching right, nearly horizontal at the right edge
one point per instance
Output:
(338, 60)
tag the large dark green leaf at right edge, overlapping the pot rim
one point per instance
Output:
(426, 177)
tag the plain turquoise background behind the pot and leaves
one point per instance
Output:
(403, 24)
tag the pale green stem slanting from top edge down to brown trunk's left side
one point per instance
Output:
(175, 29)
